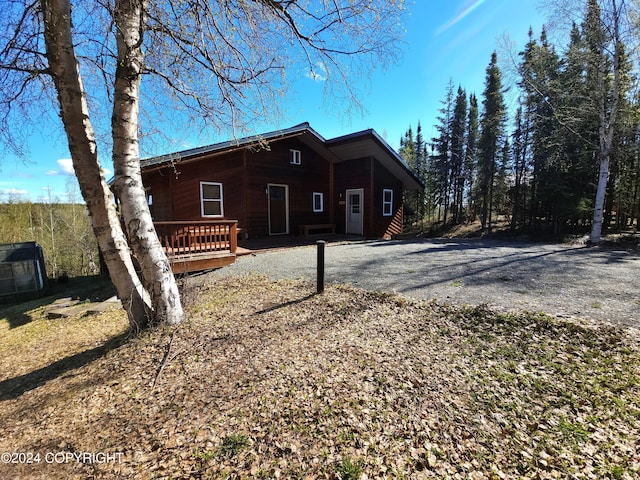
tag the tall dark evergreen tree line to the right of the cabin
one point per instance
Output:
(566, 159)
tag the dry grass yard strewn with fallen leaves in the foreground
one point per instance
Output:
(266, 380)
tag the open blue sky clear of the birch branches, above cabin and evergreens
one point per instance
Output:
(445, 40)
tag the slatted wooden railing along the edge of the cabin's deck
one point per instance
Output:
(194, 237)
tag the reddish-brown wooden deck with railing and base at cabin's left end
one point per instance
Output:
(193, 246)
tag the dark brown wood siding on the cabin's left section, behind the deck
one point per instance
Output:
(245, 195)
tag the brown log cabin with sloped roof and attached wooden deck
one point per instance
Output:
(286, 182)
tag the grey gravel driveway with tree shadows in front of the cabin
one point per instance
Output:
(559, 279)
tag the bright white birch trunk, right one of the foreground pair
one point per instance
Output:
(156, 270)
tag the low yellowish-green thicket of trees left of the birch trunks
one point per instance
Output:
(62, 229)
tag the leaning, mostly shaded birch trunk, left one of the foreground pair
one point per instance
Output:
(63, 66)
